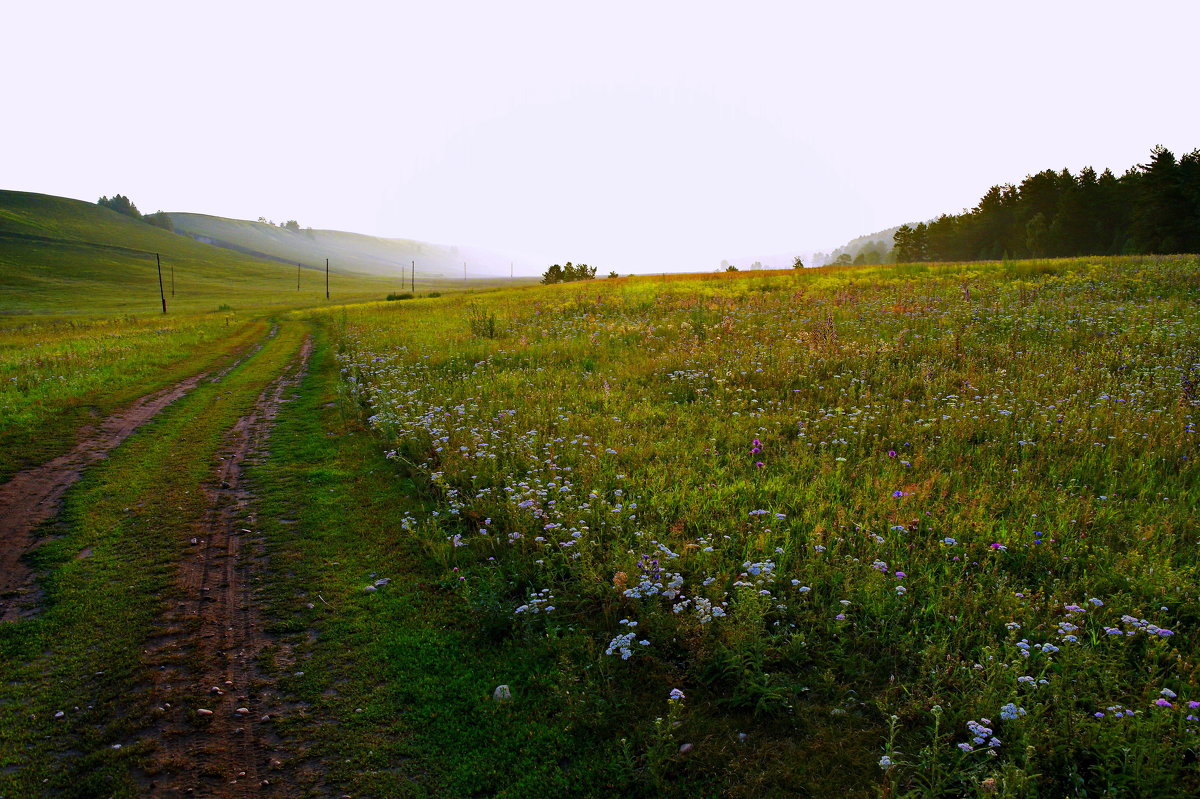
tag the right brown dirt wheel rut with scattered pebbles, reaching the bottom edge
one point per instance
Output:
(215, 707)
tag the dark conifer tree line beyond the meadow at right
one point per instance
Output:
(1153, 208)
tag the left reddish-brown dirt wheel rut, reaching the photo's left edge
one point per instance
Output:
(35, 496)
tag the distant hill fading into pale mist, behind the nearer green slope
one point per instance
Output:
(346, 251)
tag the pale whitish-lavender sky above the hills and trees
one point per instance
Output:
(631, 136)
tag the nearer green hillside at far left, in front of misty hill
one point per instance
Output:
(65, 256)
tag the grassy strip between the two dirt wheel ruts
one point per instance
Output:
(107, 579)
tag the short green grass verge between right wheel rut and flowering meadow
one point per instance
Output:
(395, 684)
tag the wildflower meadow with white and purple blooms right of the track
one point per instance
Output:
(898, 531)
